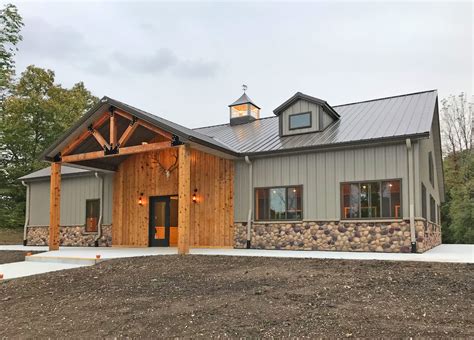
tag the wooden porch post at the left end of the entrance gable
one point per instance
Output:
(54, 206)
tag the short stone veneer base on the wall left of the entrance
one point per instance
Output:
(69, 236)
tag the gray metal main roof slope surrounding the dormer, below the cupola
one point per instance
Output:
(408, 115)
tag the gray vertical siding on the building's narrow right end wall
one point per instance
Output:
(426, 146)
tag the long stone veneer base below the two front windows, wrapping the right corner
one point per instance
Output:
(390, 237)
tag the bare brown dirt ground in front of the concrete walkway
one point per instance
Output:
(218, 296)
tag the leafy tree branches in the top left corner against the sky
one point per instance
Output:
(10, 27)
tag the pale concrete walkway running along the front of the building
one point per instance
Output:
(73, 257)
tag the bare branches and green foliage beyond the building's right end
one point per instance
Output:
(458, 210)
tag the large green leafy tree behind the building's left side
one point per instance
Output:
(36, 112)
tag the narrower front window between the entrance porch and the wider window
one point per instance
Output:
(282, 203)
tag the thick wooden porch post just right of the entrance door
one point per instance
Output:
(184, 199)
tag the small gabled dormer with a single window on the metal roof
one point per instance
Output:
(304, 114)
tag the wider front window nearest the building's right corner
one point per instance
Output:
(373, 199)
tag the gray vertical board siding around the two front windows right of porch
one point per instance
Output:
(321, 174)
